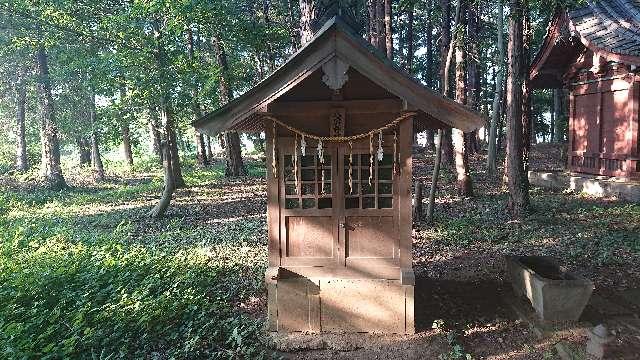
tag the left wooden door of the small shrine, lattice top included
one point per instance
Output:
(308, 223)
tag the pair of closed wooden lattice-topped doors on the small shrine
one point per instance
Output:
(341, 223)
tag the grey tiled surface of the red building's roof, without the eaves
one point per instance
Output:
(609, 25)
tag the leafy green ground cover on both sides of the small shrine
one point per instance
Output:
(85, 274)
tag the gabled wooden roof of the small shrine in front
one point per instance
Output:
(336, 39)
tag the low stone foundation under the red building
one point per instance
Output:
(588, 184)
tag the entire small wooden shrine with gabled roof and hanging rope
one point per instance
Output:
(339, 120)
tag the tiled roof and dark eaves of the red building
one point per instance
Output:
(609, 28)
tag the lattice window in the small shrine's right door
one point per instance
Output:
(378, 195)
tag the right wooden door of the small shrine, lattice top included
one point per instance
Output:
(368, 208)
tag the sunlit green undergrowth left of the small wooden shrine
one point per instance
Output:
(81, 280)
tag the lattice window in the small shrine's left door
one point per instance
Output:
(310, 192)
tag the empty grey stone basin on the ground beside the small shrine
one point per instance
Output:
(554, 293)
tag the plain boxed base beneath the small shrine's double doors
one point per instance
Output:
(298, 303)
